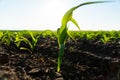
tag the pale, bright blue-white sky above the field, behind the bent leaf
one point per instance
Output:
(47, 14)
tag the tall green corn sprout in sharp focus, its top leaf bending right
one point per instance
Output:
(63, 30)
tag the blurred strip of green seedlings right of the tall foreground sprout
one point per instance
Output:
(103, 36)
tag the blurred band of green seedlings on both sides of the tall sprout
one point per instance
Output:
(7, 37)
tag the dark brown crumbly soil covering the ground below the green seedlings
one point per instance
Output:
(82, 60)
